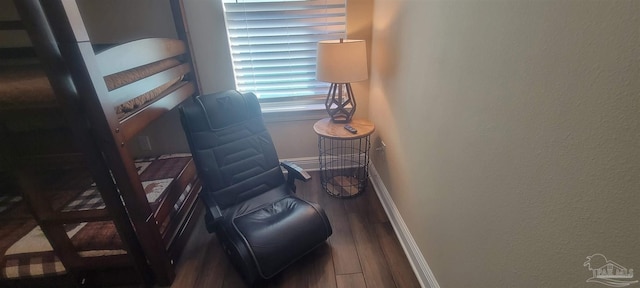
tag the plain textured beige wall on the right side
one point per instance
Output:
(513, 133)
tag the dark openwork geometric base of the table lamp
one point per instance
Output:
(340, 106)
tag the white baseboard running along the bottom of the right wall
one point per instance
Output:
(416, 259)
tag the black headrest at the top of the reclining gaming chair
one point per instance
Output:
(227, 108)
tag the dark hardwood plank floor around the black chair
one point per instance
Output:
(362, 252)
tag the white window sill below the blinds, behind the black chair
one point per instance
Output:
(290, 111)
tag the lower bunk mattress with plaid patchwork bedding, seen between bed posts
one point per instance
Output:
(26, 252)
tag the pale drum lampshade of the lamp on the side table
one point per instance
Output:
(342, 61)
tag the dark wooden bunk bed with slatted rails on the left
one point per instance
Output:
(86, 212)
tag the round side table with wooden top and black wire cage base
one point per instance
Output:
(344, 156)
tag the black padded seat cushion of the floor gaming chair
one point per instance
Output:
(278, 228)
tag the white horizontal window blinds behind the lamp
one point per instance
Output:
(273, 43)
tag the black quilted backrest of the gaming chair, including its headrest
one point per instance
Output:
(231, 147)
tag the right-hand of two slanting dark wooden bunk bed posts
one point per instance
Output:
(70, 33)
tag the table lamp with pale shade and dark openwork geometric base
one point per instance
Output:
(341, 62)
